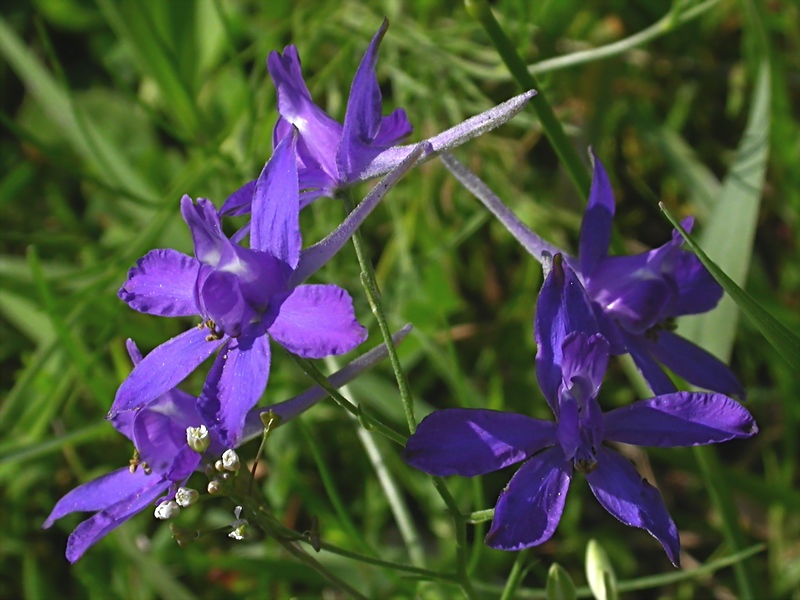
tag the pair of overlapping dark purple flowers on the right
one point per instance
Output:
(589, 308)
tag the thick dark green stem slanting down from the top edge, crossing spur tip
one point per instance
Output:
(567, 154)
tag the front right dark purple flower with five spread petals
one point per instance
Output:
(570, 364)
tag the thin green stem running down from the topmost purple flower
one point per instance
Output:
(372, 290)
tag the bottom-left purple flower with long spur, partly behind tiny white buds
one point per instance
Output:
(158, 431)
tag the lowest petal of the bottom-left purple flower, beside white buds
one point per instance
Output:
(93, 529)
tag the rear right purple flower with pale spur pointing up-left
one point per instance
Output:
(635, 298)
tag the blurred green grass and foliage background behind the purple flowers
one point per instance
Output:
(111, 110)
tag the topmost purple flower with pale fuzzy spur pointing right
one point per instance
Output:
(333, 155)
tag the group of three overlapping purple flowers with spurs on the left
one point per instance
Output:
(243, 297)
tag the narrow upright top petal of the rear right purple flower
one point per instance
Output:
(598, 220)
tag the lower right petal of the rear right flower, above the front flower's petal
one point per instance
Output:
(694, 364)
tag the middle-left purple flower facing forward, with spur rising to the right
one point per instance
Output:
(244, 296)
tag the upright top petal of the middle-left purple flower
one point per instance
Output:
(275, 225)
